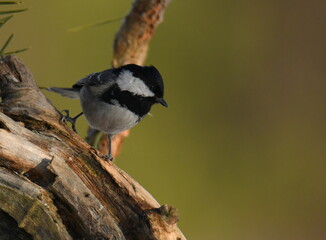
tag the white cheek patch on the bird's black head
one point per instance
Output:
(127, 82)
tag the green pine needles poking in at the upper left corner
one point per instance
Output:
(4, 20)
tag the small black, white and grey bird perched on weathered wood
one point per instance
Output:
(116, 99)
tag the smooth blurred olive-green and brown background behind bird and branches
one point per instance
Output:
(241, 150)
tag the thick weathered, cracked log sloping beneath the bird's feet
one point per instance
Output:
(54, 185)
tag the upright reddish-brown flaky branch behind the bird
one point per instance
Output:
(131, 46)
